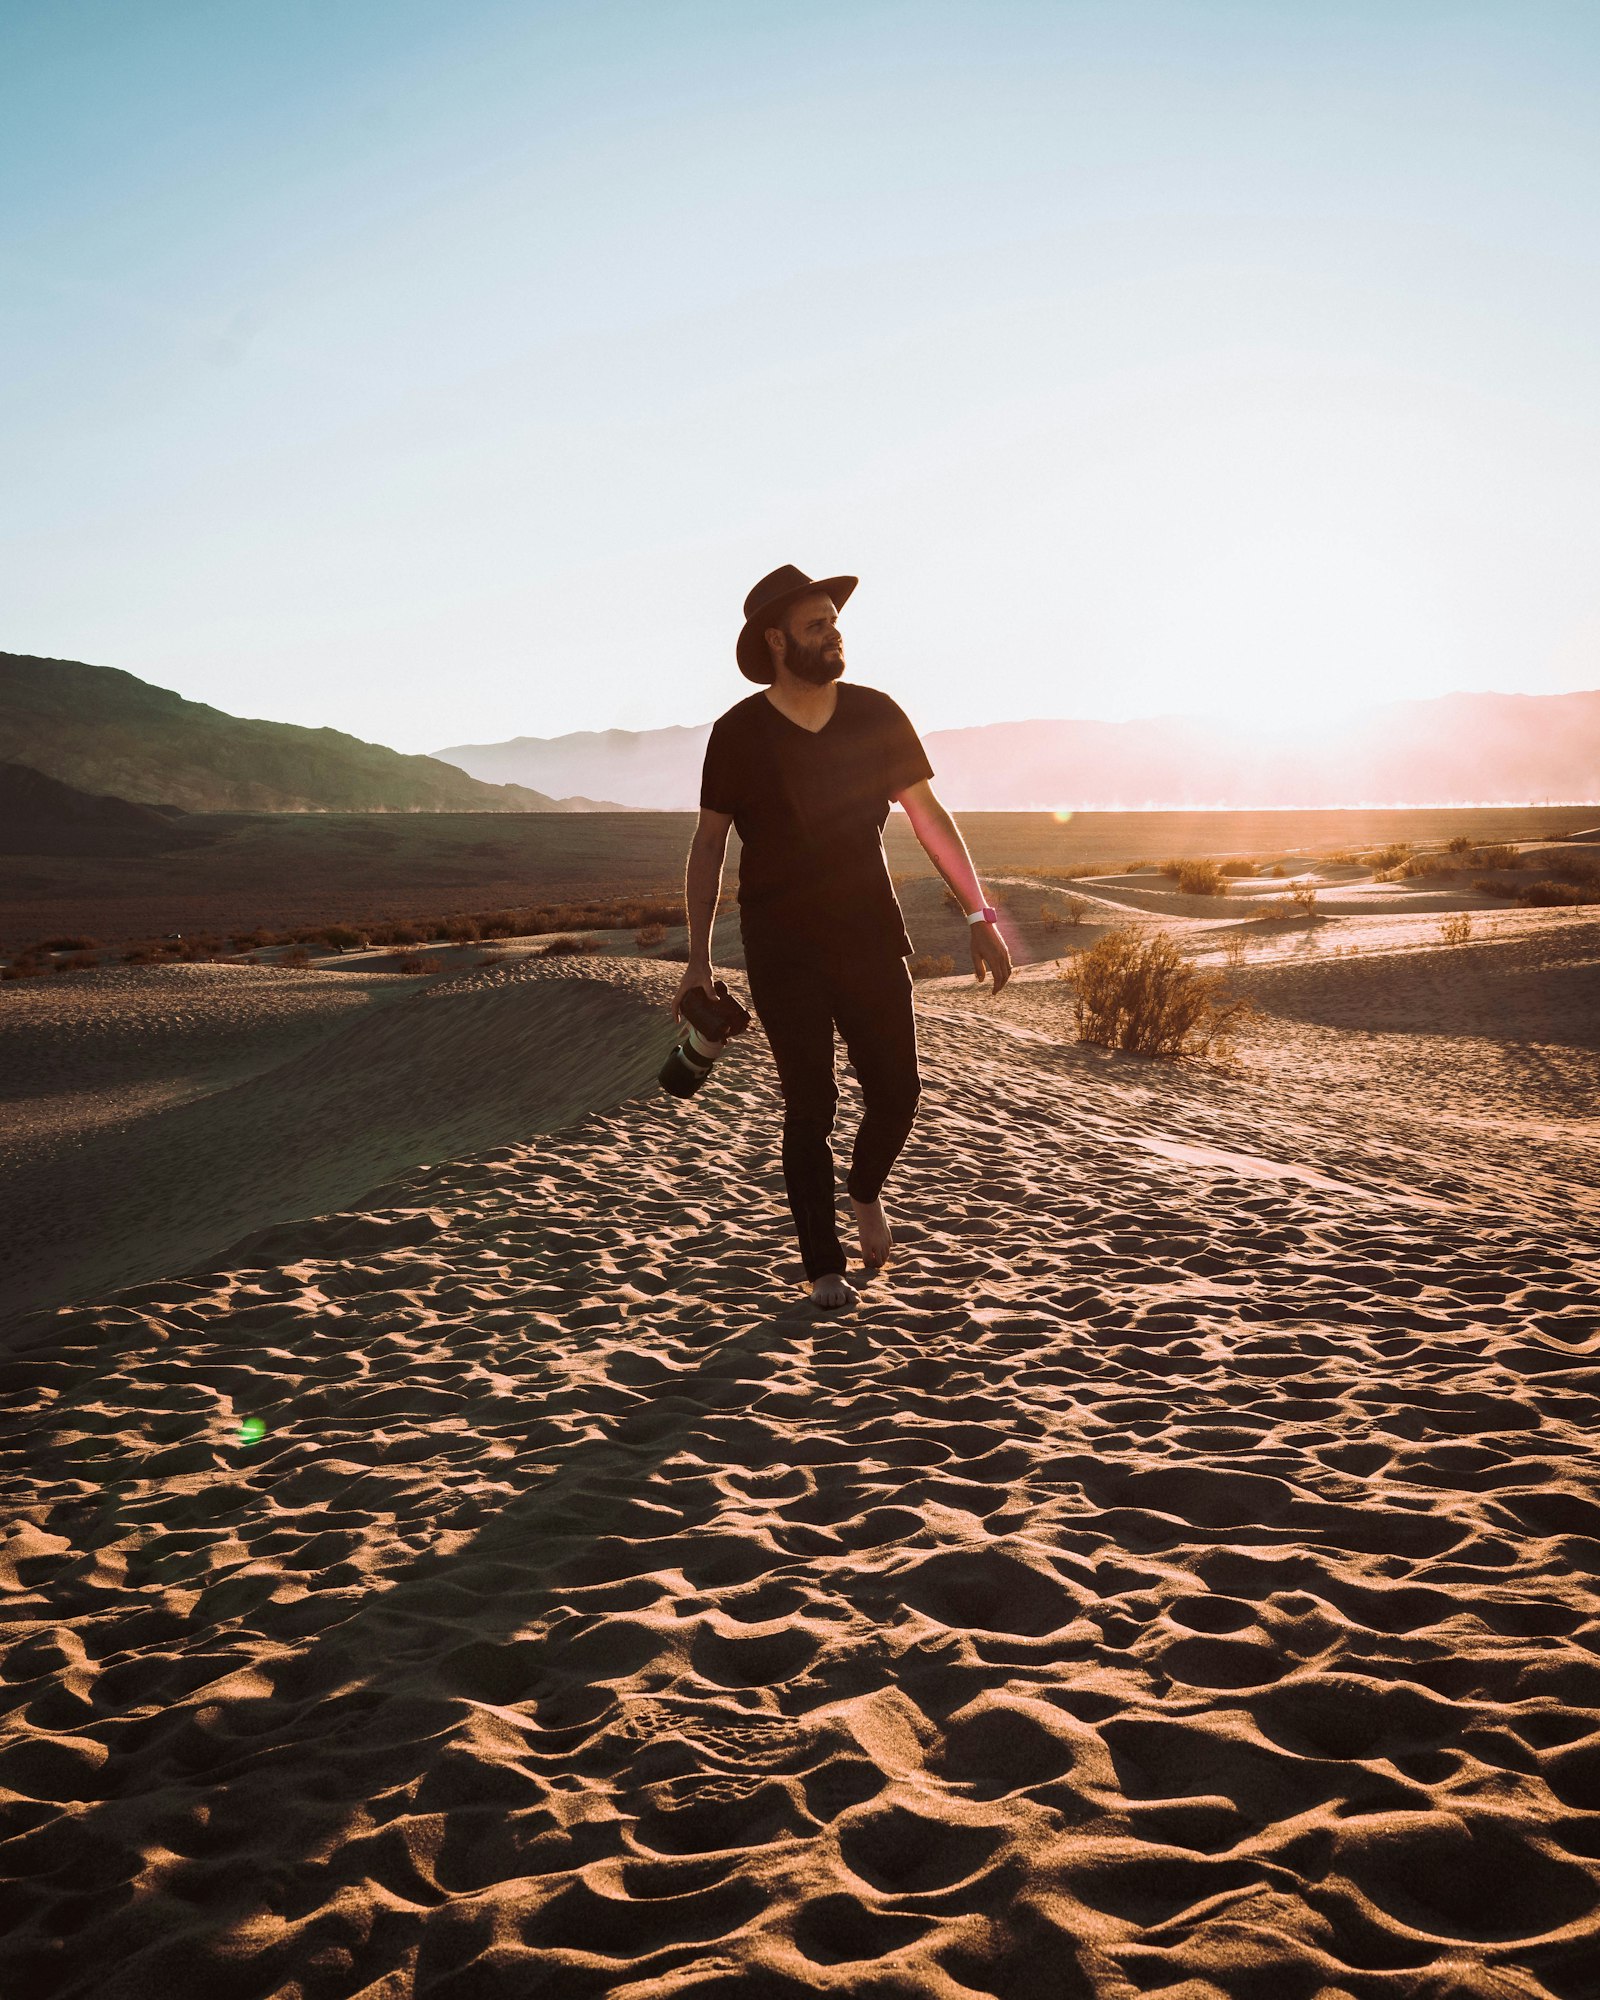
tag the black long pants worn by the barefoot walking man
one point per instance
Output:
(799, 1001)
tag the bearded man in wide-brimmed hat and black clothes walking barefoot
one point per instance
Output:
(807, 773)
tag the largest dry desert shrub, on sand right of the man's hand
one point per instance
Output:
(1139, 993)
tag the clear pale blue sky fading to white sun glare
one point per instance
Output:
(447, 373)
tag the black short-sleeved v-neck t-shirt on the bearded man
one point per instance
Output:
(811, 809)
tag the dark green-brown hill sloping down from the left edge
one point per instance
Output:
(109, 733)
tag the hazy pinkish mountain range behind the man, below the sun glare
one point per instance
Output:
(1461, 749)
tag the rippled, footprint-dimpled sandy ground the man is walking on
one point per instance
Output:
(1179, 1577)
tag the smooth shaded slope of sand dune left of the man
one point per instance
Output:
(367, 1091)
